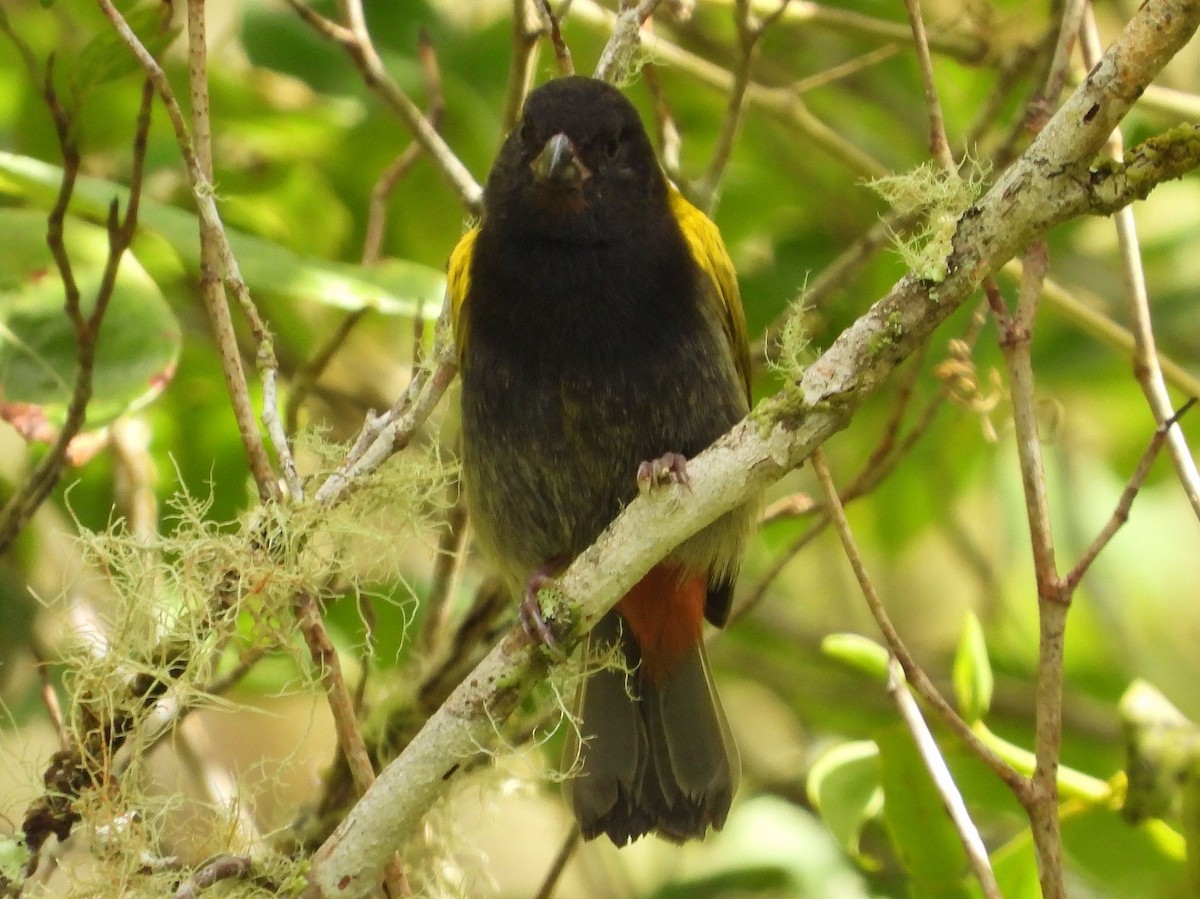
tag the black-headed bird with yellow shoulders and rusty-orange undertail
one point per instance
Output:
(602, 343)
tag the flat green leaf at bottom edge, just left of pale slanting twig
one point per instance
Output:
(925, 836)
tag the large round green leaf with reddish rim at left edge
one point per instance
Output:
(140, 338)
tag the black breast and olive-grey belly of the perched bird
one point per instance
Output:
(580, 364)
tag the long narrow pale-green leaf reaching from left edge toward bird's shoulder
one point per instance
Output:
(398, 287)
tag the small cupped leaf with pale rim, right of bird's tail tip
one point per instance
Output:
(844, 787)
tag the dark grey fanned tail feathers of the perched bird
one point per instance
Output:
(652, 751)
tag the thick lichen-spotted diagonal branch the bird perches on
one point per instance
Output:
(1049, 184)
